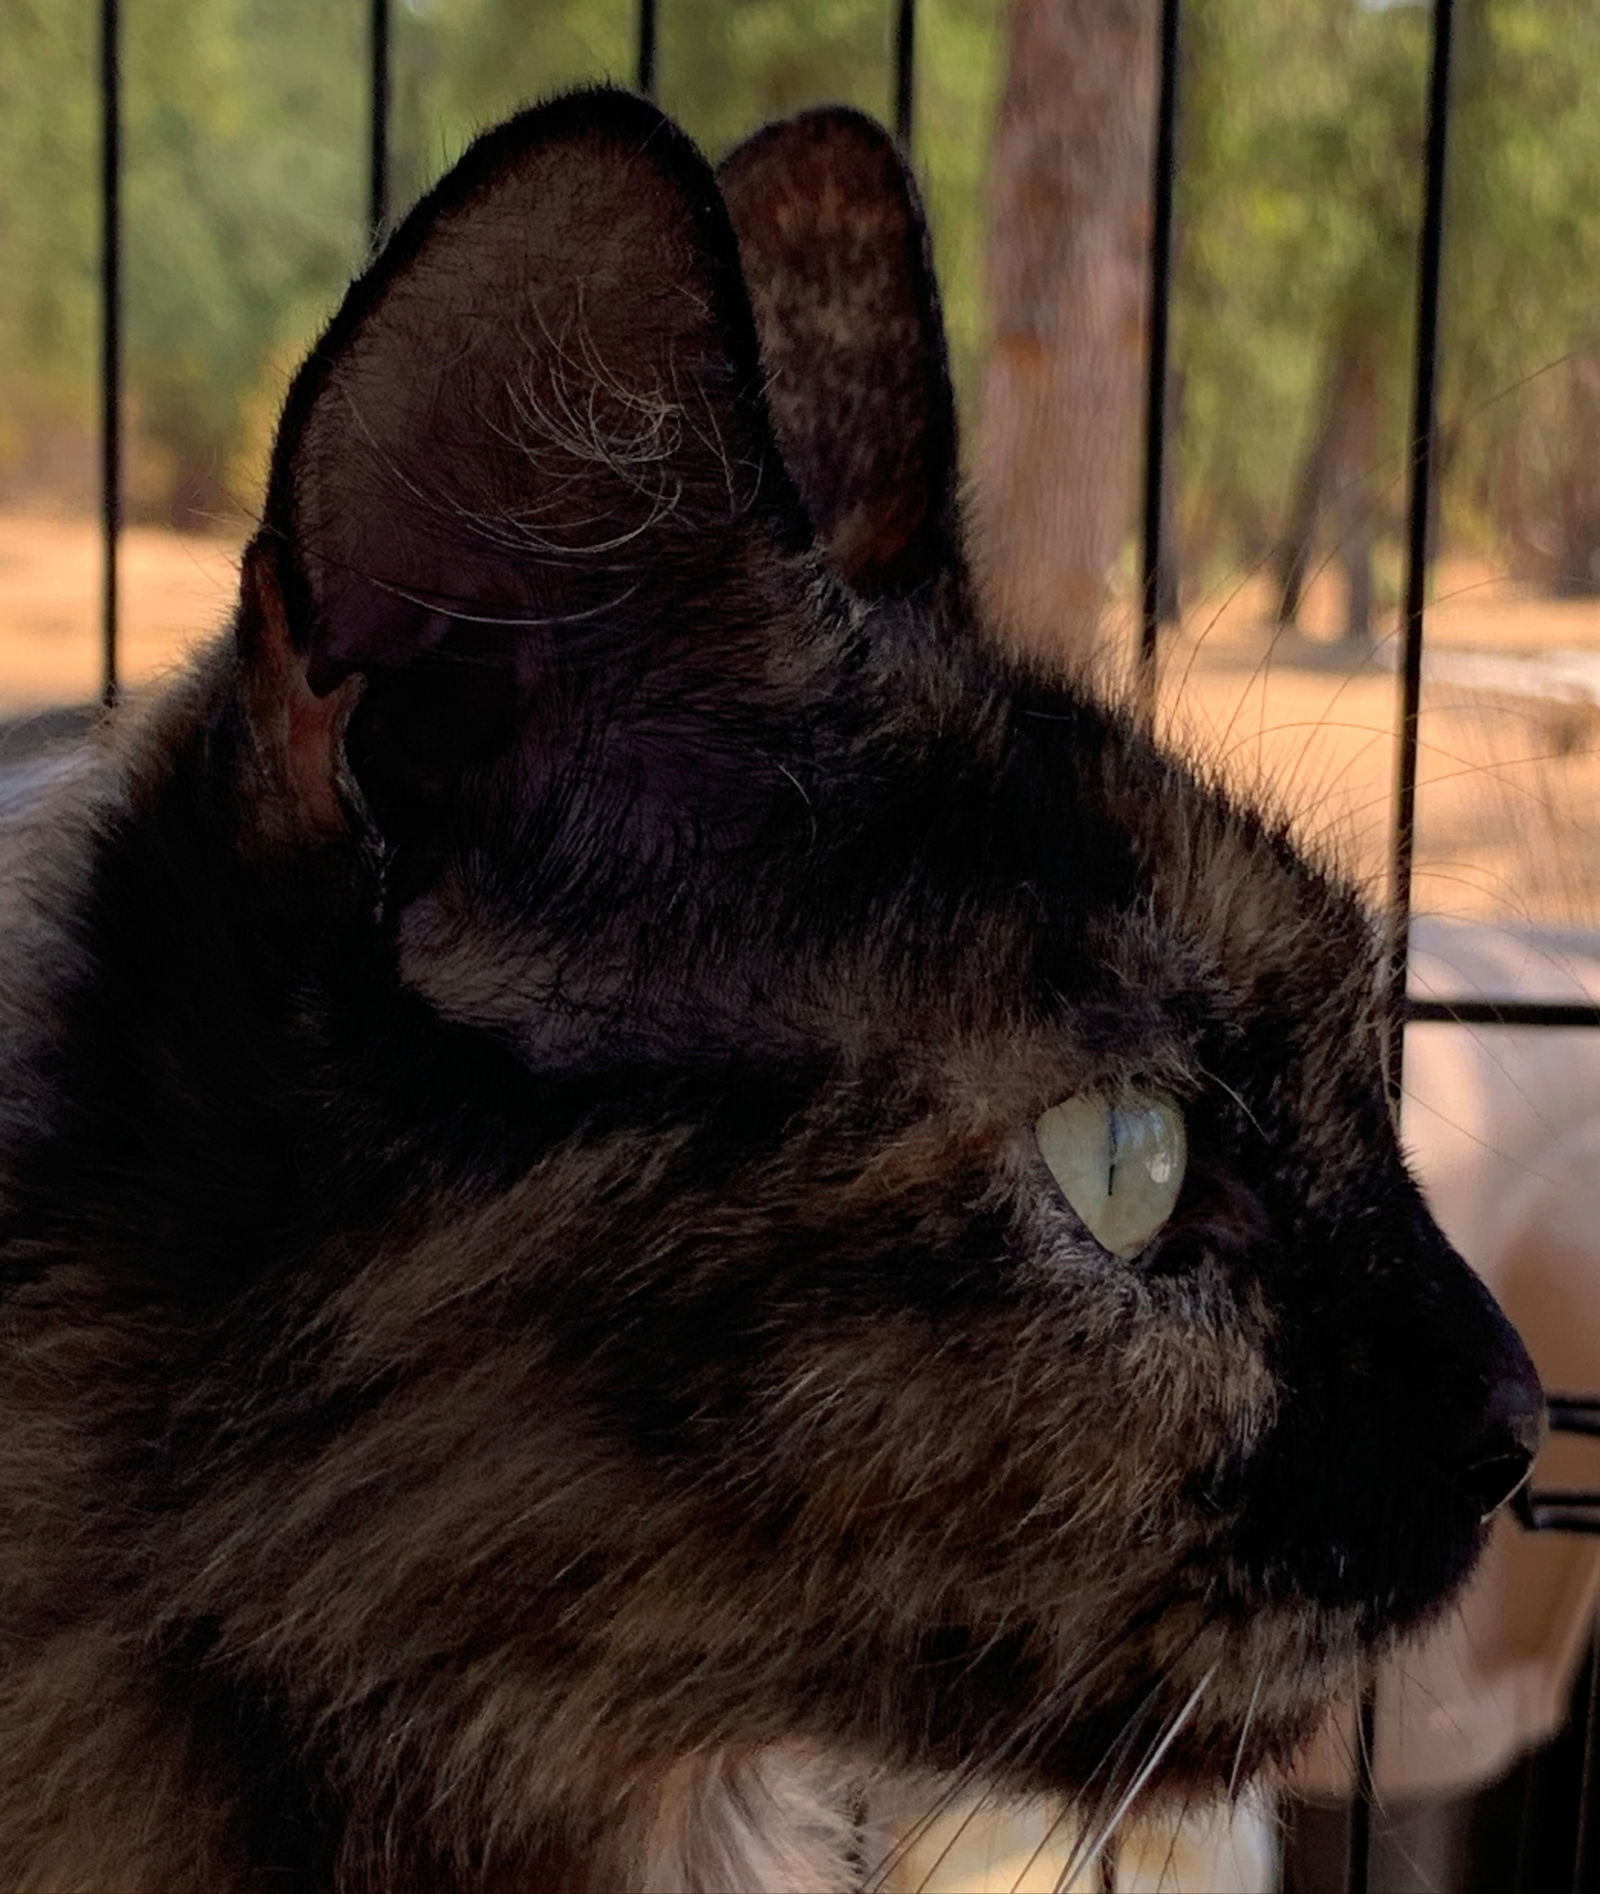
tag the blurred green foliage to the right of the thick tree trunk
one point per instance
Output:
(1300, 205)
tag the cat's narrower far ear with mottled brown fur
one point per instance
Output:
(838, 260)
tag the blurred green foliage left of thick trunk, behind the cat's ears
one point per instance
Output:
(245, 185)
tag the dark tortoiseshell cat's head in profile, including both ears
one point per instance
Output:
(957, 1295)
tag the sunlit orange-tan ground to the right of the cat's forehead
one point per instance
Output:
(1508, 764)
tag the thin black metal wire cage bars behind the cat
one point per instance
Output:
(1540, 1510)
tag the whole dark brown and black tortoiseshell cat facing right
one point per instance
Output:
(645, 1188)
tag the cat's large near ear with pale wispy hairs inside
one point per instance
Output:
(539, 416)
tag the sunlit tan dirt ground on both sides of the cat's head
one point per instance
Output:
(1510, 802)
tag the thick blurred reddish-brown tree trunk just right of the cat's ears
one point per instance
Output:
(1069, 255)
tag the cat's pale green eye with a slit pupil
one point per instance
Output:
(1120, 1164)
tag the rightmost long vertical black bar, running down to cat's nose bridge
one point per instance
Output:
(1425, 429)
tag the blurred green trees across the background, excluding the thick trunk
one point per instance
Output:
(1298, 207)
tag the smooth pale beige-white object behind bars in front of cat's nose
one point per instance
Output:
(1504, 1130)
